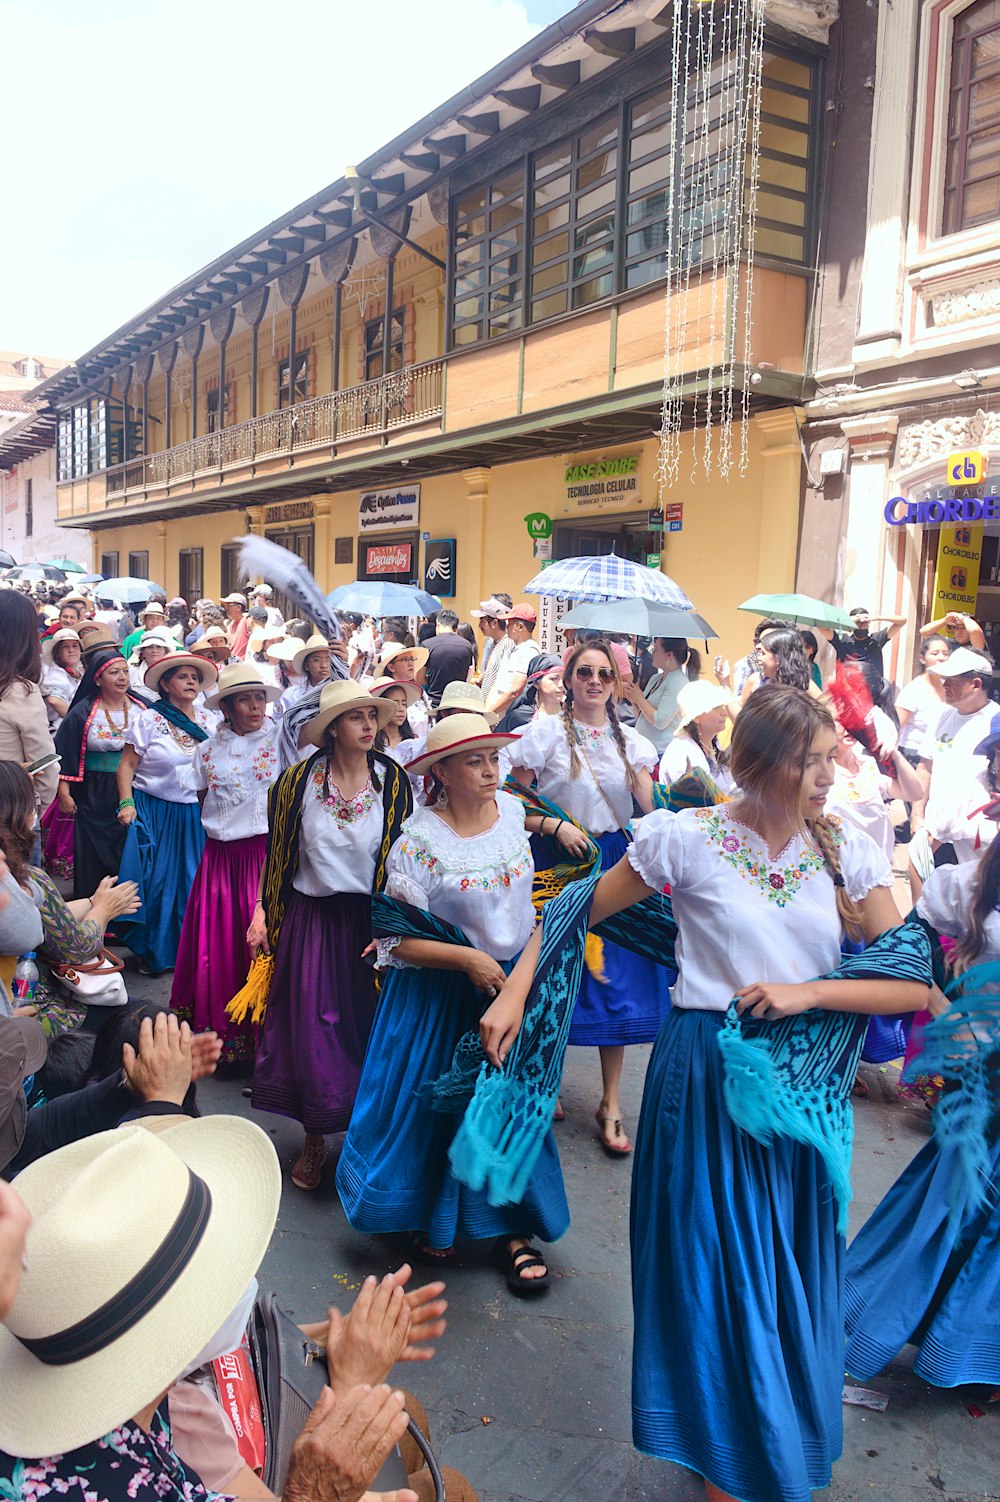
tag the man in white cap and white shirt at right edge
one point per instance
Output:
(959, 776)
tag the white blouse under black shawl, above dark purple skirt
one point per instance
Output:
(340, 839)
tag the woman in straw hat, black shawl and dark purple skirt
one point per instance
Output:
(331, 824)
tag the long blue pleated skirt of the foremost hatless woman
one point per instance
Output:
(736, 1285)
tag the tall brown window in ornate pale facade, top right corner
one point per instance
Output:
(972, 175)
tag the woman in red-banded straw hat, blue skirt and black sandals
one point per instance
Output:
(466, 860)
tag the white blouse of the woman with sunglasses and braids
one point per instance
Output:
(544, 750)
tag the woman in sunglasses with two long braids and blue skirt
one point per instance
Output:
(597, 770)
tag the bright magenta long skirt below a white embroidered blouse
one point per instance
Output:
(212, 956)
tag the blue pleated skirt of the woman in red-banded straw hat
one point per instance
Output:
(394, 1172)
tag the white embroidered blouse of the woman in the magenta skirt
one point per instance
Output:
(235, 773)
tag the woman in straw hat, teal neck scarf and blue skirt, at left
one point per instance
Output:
(160, 810)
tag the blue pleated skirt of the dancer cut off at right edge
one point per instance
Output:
(914, 1279)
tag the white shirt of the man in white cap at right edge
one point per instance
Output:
(959, 780)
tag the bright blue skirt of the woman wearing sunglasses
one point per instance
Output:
(630, 1003)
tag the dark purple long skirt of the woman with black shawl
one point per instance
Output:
(321, 1010)
